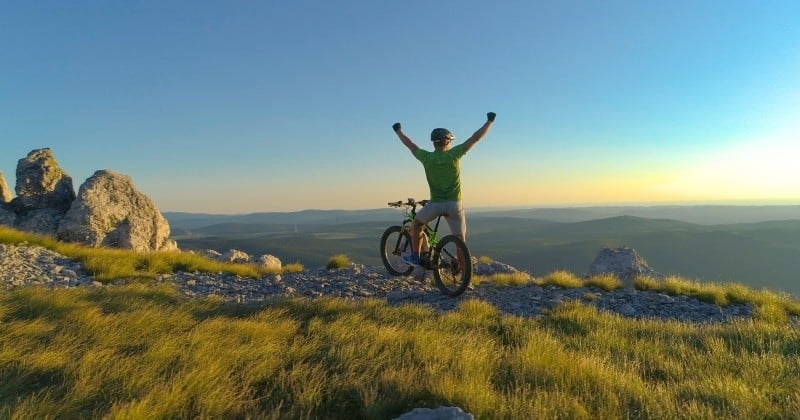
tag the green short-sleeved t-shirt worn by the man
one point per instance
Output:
(443, 172)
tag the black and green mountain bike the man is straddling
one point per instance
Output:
(448, 257)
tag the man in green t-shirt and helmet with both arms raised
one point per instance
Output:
(444, 181)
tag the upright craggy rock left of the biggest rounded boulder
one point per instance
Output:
(42, 184)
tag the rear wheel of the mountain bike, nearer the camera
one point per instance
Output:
(452, 265)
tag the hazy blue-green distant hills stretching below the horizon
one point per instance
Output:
(760, 254)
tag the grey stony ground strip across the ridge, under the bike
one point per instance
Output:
(23, 265)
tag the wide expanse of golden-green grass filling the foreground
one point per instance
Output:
(134, 351)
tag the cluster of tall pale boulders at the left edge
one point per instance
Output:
(108, 210)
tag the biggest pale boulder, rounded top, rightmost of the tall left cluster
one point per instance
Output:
(110, 212)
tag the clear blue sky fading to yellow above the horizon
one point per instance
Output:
(251, 106)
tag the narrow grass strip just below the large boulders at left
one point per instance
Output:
(107, 264)
